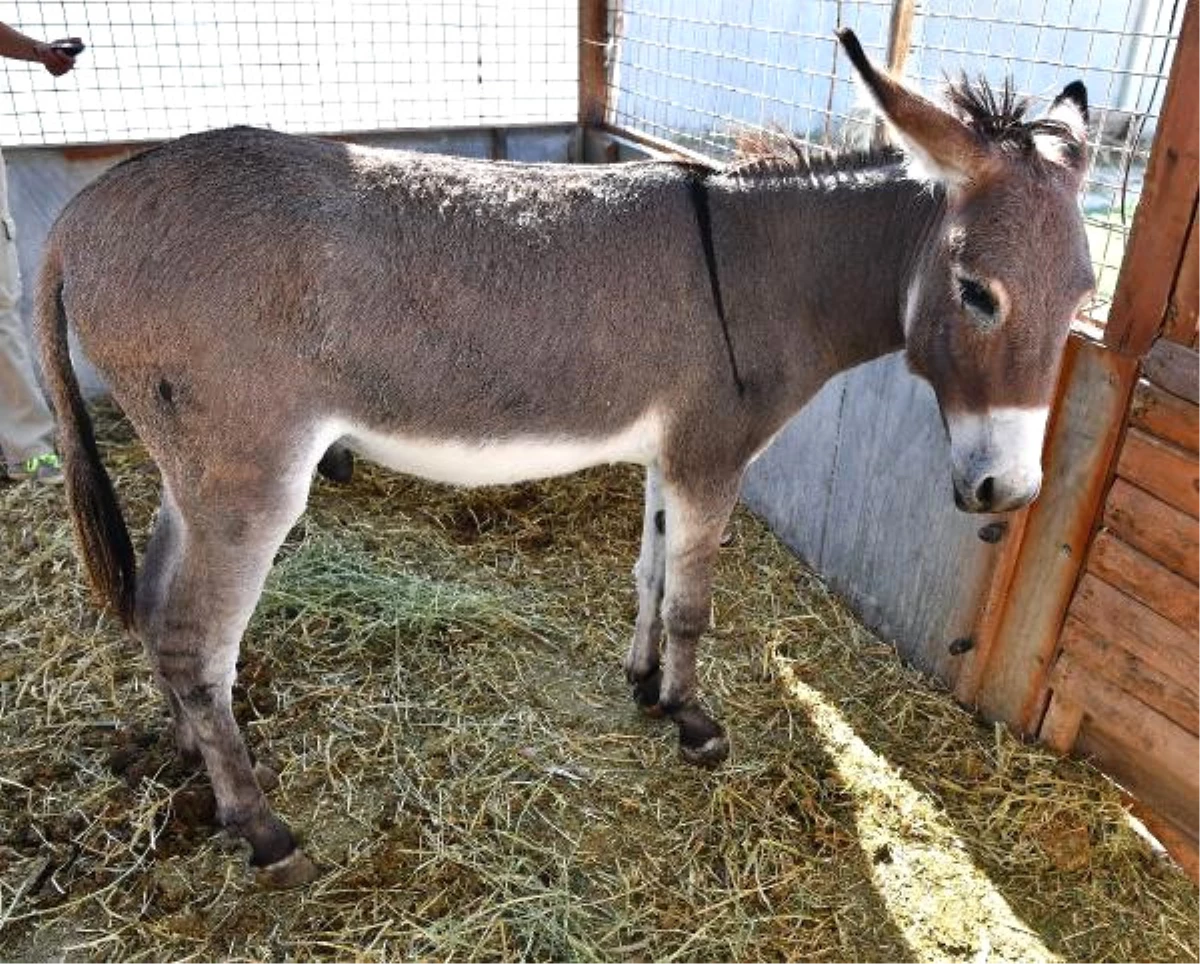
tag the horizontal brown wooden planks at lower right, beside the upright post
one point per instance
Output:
(1125, 686)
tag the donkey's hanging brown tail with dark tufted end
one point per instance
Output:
(100, 528)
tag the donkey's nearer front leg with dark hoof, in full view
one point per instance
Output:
(697, 519)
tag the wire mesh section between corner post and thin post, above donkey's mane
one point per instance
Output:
(701, 73)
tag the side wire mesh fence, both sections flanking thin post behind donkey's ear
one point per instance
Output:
(701, 73)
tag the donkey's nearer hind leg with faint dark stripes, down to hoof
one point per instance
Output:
(226, 543)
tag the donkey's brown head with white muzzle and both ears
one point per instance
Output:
(992, 298)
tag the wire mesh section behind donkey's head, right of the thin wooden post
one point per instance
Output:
(1123, 52)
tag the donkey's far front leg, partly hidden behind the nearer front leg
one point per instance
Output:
(644, 657)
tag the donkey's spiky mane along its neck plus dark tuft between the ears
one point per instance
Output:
(998, 117)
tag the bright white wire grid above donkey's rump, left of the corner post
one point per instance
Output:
(155, 70)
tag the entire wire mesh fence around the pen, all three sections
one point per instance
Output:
(694, 73)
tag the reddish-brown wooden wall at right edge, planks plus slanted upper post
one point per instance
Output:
(1123, 685)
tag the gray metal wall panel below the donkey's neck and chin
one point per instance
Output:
(860, 487)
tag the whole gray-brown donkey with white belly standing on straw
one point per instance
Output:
(255, 298)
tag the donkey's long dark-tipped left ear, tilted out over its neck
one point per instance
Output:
(945, 146)
